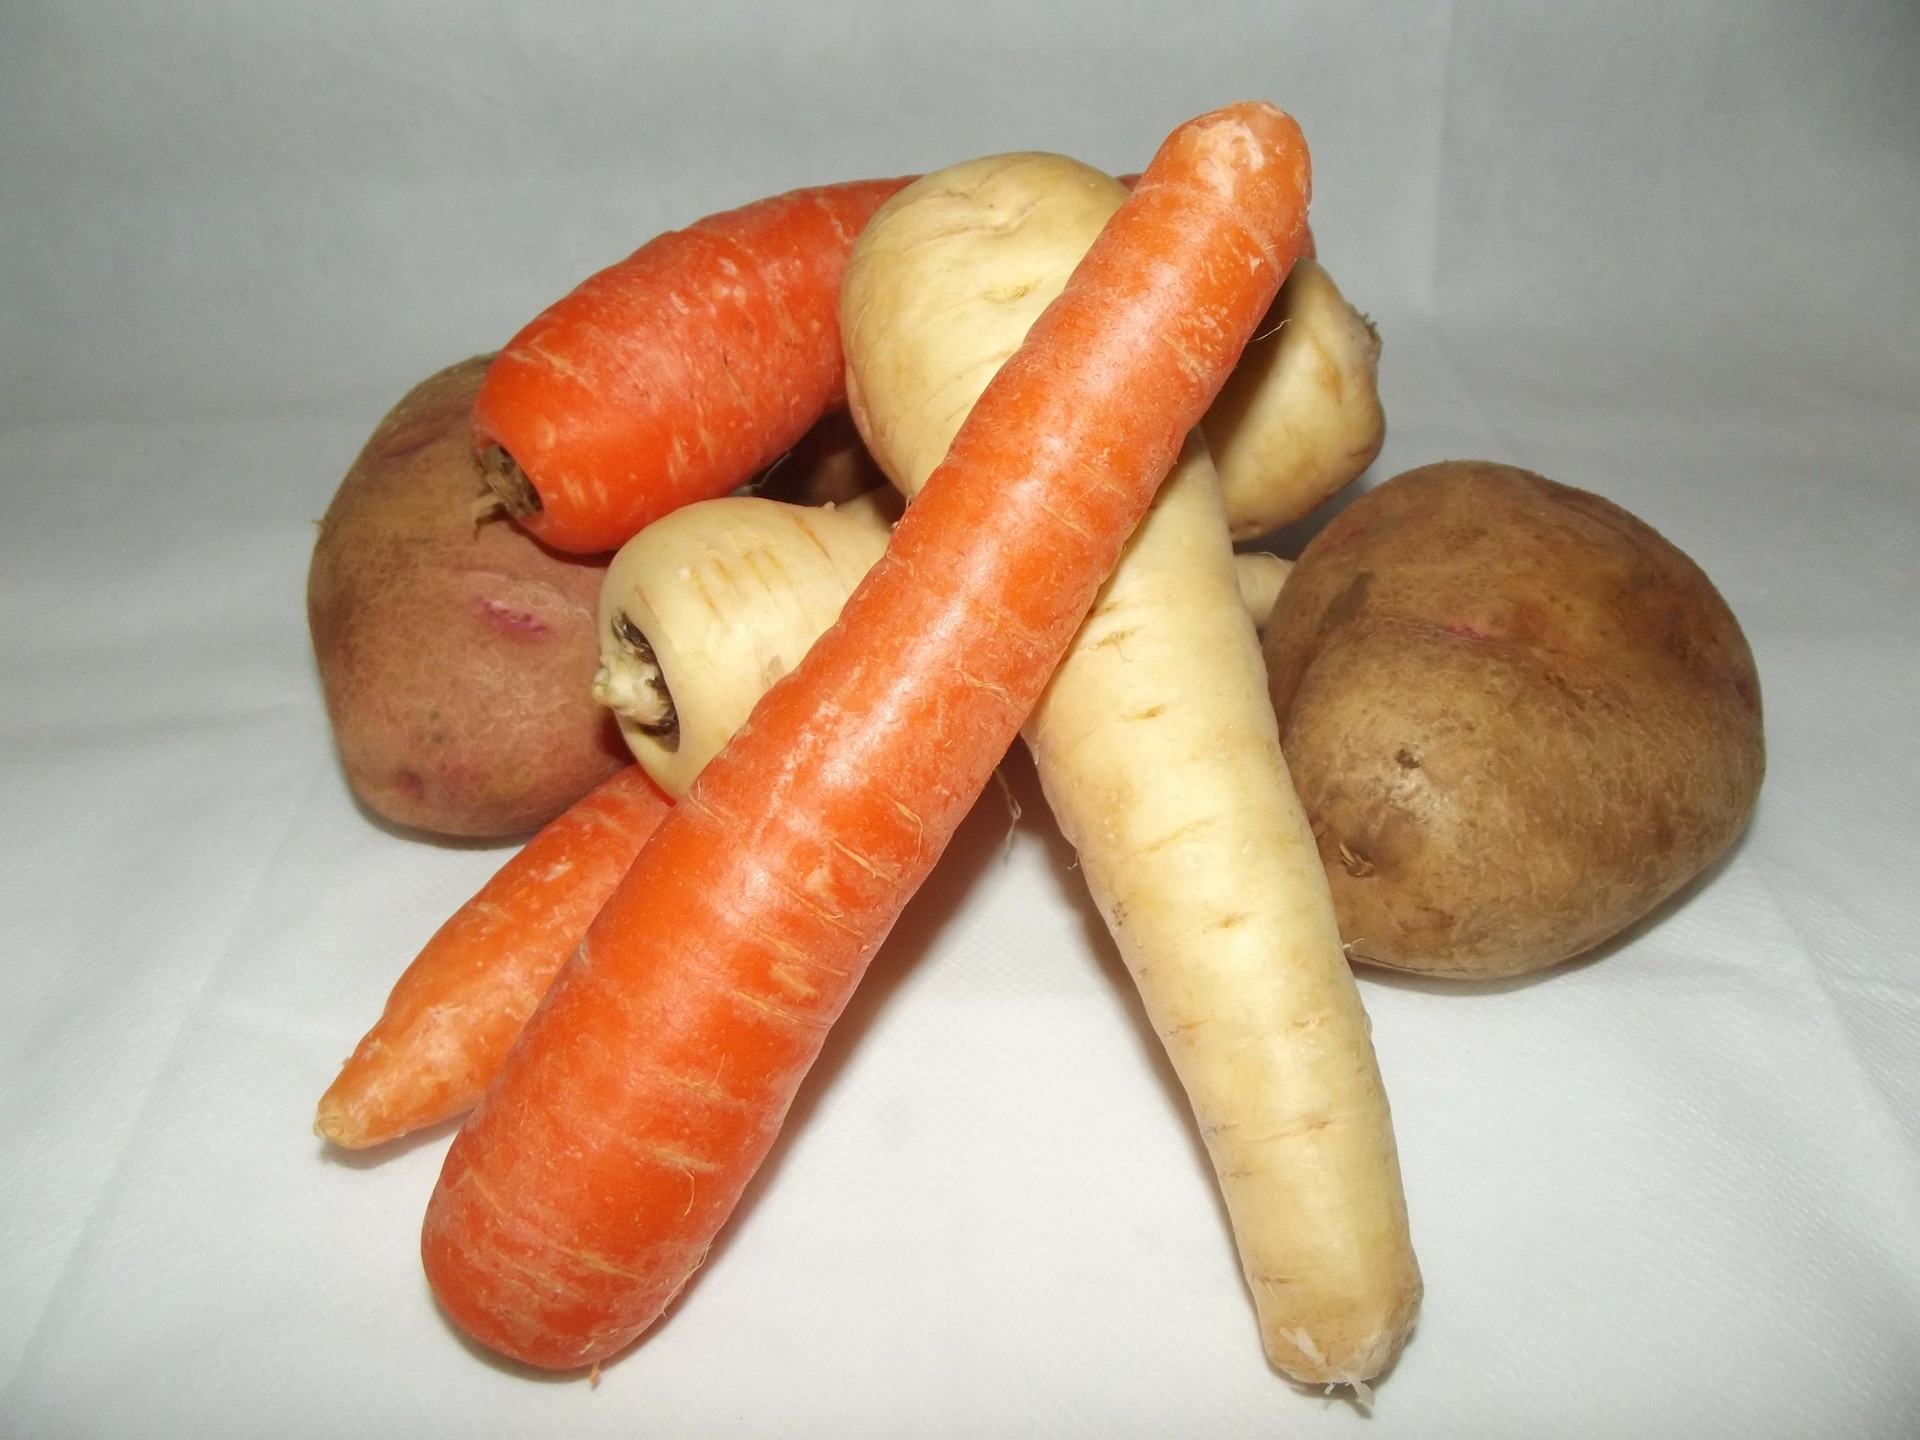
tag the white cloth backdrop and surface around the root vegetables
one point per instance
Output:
(1664, 252)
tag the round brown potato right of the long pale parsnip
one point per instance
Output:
(1518, 717)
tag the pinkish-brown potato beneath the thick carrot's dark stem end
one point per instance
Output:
(456, 656)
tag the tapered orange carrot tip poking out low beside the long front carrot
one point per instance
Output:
(462, 1003)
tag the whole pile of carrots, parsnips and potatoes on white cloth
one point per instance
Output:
(1084, 393)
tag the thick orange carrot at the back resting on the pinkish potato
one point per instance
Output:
(675, 373)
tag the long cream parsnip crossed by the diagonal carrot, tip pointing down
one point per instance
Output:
(1161, 757)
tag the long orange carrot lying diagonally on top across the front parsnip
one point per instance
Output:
(648, 1088)
